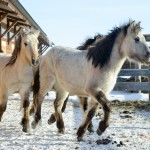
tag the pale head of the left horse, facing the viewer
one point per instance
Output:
(30, 44)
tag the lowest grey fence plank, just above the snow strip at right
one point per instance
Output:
(132, 86)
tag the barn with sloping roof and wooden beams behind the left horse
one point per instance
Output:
(12, 16)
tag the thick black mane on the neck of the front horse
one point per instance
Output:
(100, 54)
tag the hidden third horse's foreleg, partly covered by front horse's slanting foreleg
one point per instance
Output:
(84, 106)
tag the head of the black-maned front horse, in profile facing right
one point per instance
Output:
(134, 45)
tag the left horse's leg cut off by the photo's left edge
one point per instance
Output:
(3, 105)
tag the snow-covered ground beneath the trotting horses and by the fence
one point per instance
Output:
(129, 129)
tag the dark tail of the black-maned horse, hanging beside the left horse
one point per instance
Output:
(35, 88)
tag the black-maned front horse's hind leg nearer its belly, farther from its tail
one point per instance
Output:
(58, 103)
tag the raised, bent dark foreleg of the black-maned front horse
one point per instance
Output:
(101, 98)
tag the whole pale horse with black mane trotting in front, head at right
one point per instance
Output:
(90, 73)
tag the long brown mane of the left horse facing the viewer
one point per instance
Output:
(16, 51)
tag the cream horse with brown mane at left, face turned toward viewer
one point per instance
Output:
(17, 72)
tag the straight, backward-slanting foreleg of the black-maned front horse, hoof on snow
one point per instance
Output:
(87, 121)
